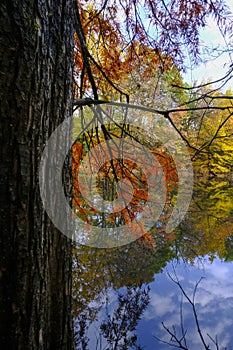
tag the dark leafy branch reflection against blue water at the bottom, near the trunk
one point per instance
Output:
(118, 327)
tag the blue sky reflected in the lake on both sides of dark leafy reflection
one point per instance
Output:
(214, 305)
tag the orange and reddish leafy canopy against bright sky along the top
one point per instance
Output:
(120, 35)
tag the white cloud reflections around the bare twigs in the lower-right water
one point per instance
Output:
(214, 305)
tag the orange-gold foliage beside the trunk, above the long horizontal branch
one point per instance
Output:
(110, 54)
